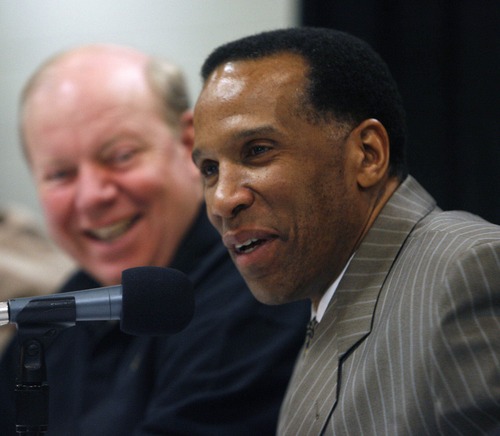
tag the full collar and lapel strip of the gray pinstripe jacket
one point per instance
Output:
(313, 389)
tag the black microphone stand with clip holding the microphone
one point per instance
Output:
(34, 335)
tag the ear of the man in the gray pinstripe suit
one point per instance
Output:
(374, 148)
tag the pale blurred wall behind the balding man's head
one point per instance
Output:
(184, 31)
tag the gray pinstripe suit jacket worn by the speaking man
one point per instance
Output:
(410, 343)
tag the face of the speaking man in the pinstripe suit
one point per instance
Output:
(283, 192)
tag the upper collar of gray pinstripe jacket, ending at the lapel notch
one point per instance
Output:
(355, 301)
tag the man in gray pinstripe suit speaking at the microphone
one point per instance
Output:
(300, 138)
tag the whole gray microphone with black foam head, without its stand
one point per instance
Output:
(150, 301)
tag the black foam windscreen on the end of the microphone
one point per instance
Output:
(155, 301)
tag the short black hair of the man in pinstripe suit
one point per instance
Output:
(347, 78)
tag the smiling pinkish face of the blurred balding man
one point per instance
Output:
(117, 185)
